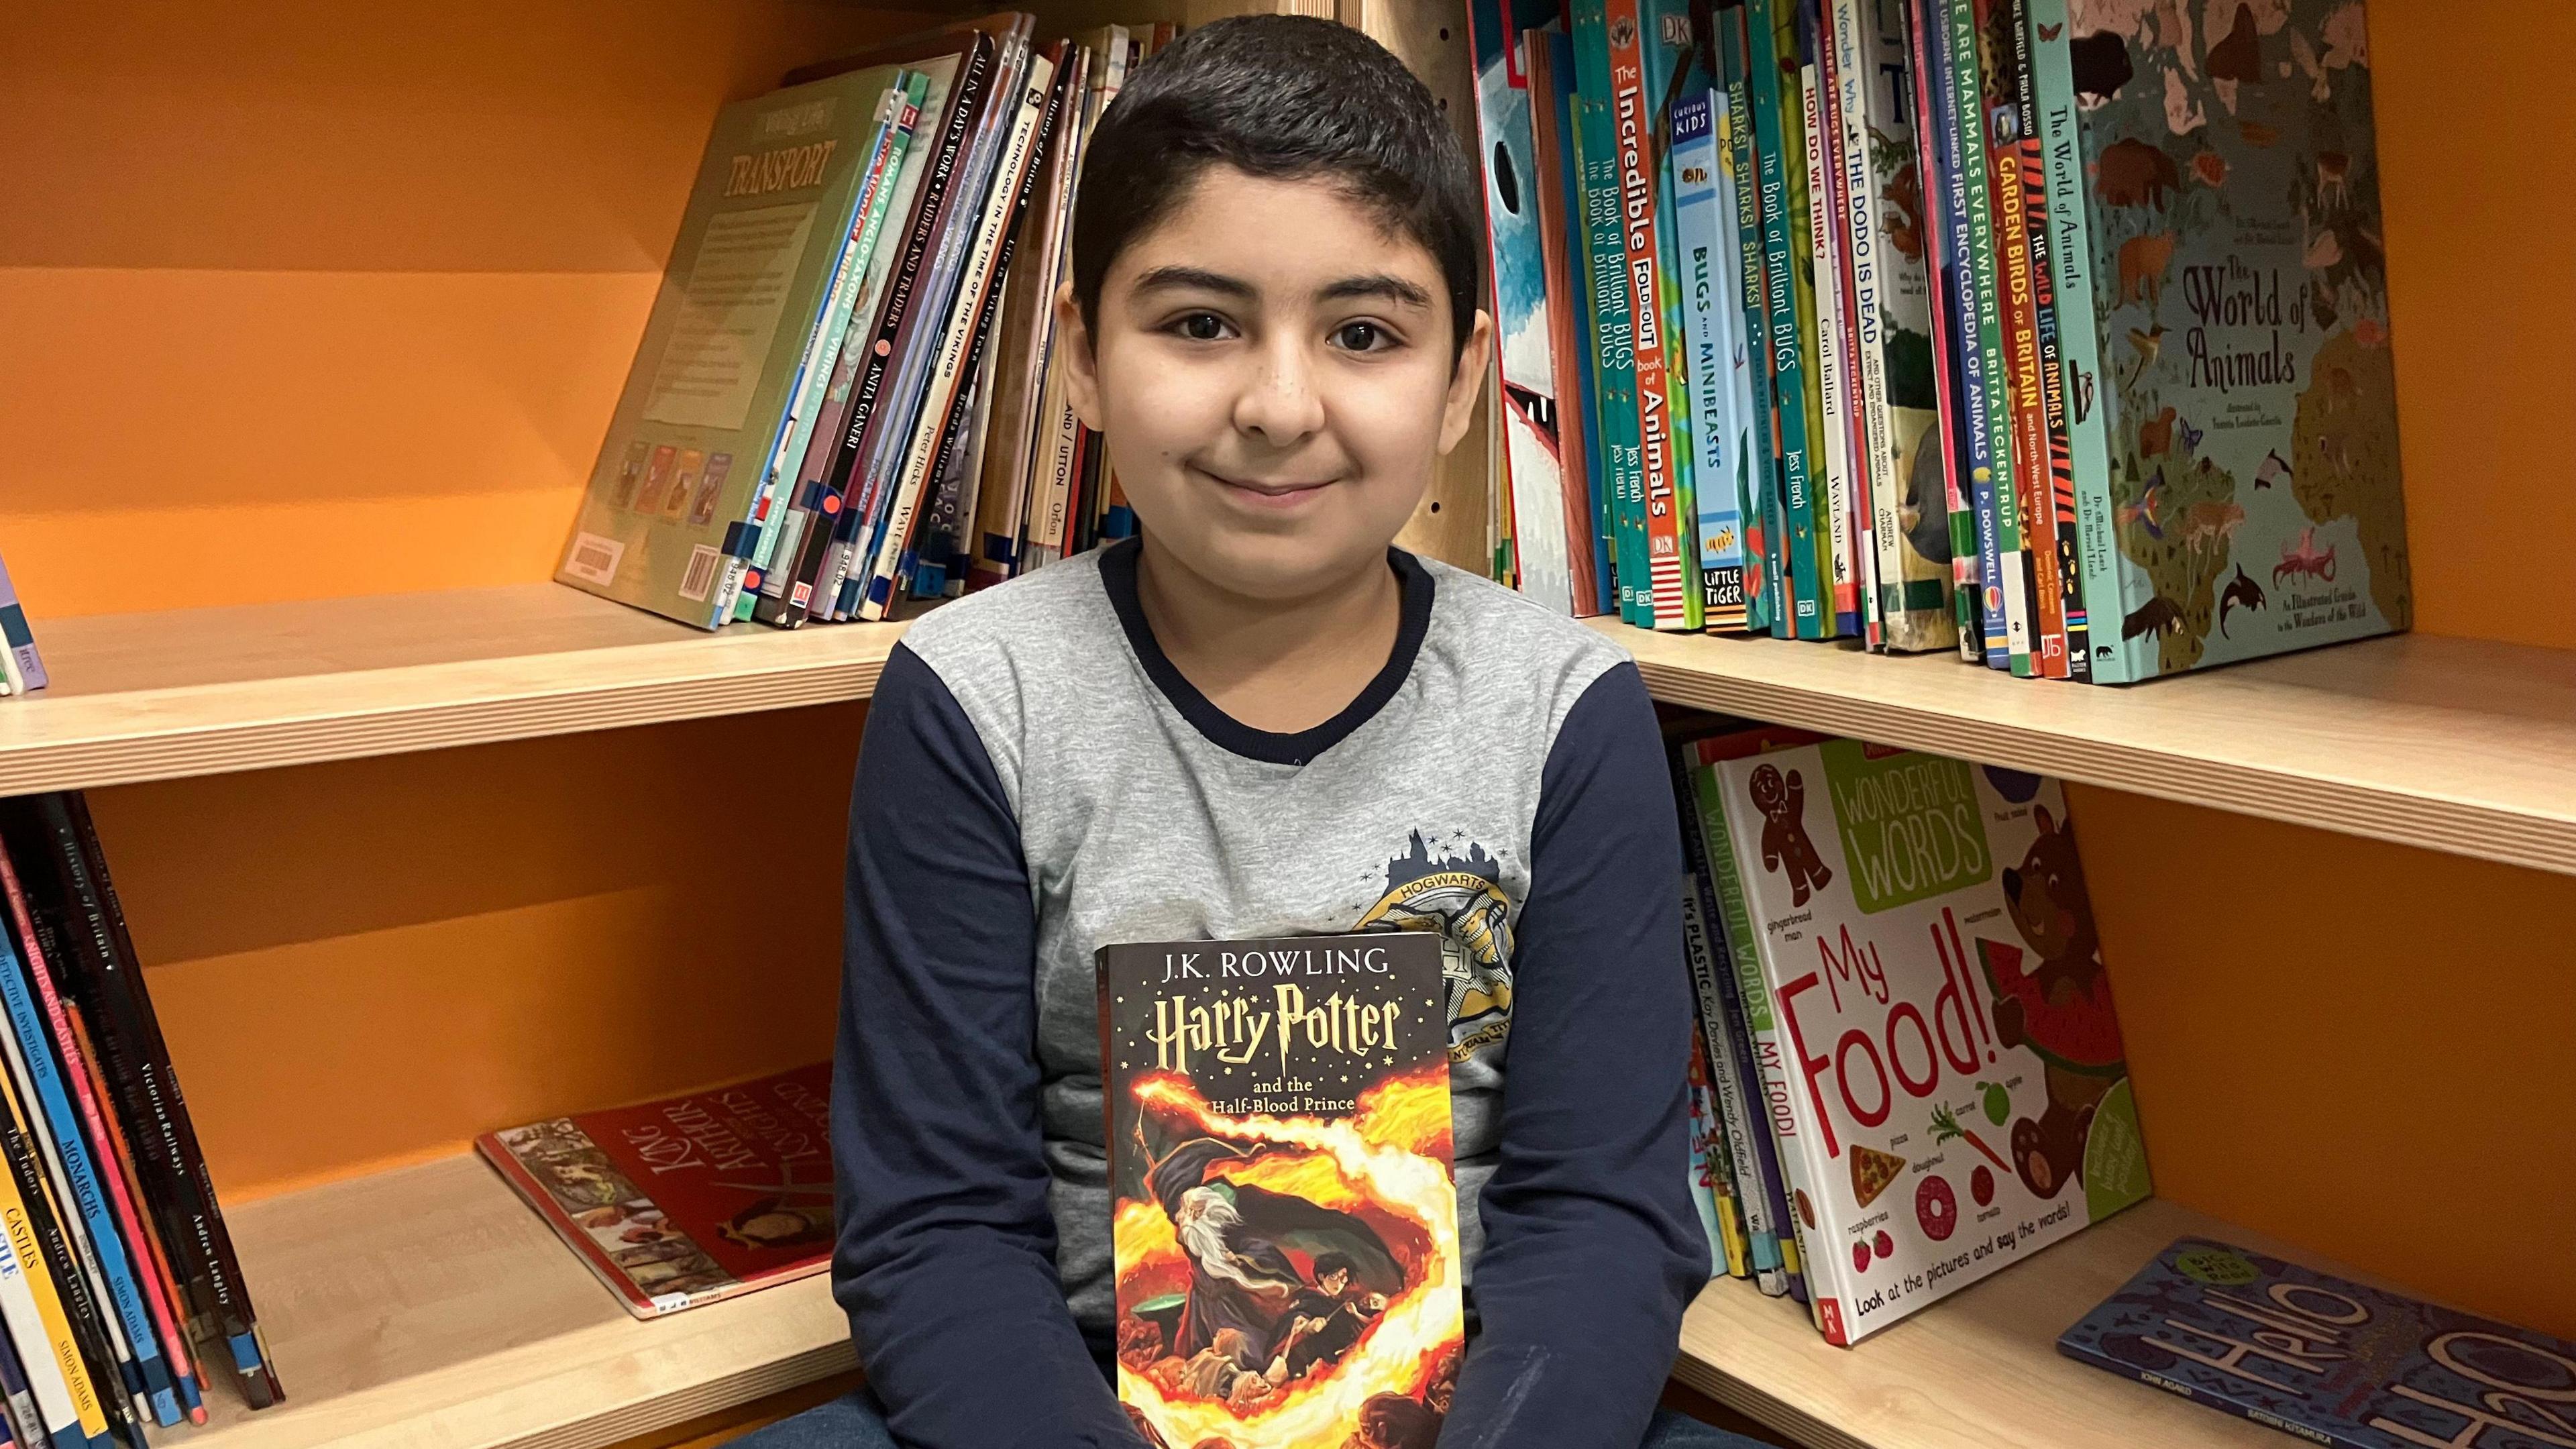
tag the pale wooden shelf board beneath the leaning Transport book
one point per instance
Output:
(282, 685)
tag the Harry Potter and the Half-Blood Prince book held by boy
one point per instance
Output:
(1287, 1211)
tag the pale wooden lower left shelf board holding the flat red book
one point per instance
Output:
(429, 1308)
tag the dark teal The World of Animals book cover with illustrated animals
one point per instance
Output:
(2240, 290)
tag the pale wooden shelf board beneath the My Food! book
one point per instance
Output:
(1977, 1370)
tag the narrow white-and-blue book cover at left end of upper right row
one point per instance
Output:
(1519, 280)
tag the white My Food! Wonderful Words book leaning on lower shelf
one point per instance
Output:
(1946, 1025)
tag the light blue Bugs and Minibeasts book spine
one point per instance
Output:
(1704, 223)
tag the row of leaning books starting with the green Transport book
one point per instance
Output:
(849, 391)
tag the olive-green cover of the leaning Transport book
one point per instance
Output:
(738, 306)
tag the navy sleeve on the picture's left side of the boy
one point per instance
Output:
(947, 1254)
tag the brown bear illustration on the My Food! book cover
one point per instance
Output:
(2057, 1002)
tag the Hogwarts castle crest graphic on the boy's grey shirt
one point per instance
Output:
(1462, 899)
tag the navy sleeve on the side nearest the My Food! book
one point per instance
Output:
(1591, 1244)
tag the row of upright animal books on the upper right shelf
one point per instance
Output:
(1946, 324)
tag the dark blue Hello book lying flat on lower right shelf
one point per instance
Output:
(2330, 1360)
